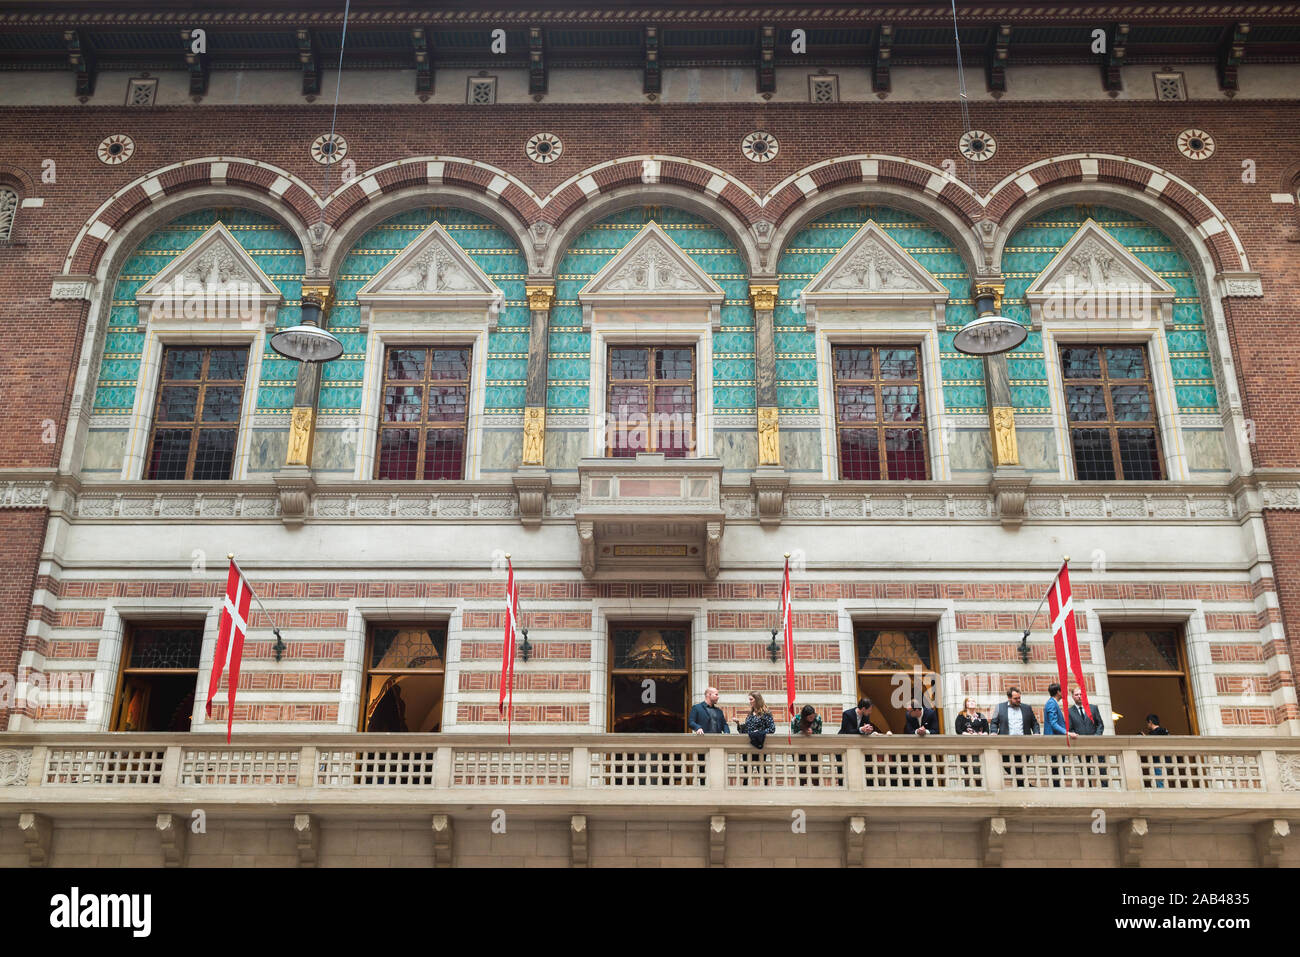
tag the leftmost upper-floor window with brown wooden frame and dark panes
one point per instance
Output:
(197, 418)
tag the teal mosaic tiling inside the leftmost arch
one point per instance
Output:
(274, 248)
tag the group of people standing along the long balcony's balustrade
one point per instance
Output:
(1011, 717)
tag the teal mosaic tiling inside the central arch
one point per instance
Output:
(569, 369)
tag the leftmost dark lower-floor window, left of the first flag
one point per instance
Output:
(161, 674)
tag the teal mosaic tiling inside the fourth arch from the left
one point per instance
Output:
(814, 246)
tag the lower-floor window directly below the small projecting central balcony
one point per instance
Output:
(649, 678)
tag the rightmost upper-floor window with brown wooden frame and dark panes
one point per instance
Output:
(1112, 413)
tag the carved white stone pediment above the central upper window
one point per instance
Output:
(652, 271)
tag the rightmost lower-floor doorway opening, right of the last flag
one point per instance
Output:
(1147, 669)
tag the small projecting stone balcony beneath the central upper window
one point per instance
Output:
(651, 516)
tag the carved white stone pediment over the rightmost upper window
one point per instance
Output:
(1097, 278)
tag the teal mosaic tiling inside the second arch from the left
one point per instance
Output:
(491, 248)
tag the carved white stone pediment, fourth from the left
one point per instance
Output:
(873, 271)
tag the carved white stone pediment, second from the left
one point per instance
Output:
(431, 274)
